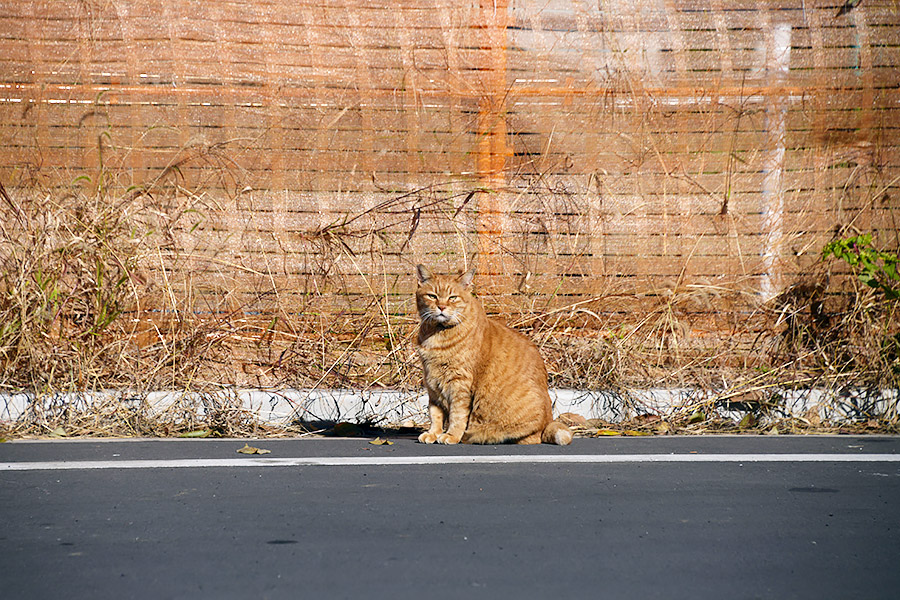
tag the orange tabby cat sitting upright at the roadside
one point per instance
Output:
(486, 382)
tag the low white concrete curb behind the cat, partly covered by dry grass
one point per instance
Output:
(282, 407)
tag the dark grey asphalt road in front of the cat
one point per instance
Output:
(777, 518)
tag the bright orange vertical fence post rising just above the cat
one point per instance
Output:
(492, 149)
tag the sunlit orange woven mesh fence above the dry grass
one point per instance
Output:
(572, 150)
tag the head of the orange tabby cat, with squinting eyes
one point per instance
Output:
(442, 299)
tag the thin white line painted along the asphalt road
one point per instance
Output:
(338, 461)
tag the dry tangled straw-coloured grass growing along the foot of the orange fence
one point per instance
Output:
(98, 292)
